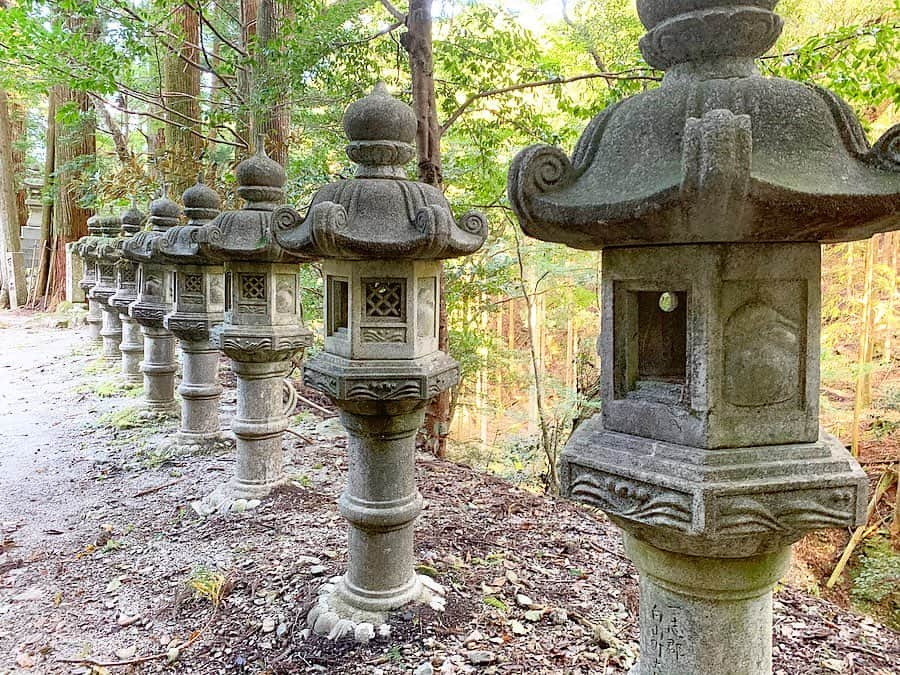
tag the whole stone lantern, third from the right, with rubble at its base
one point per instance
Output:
(263, 327)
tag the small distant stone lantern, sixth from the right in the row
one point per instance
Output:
(132, 345)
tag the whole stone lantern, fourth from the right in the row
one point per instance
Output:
(199, 306)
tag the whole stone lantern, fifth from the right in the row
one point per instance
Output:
(155, 300)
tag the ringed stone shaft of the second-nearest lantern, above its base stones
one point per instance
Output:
(381, 503)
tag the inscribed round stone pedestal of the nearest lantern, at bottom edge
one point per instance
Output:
(705, 615)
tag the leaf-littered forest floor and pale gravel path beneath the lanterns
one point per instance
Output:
(102, 558)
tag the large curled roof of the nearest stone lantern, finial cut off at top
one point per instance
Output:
(717, 154)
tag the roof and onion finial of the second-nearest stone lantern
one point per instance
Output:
(381, 213)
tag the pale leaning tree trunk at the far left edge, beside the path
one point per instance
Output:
(13, 277)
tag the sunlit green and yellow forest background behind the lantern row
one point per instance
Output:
(110, 100)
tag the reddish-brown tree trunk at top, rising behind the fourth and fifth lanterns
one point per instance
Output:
(181, 94)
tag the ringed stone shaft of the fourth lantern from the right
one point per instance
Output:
(200, 391)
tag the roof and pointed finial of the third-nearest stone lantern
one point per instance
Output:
(246, 234)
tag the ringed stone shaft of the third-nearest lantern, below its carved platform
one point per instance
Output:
(259, 426)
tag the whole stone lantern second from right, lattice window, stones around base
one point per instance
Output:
(381, 236)
